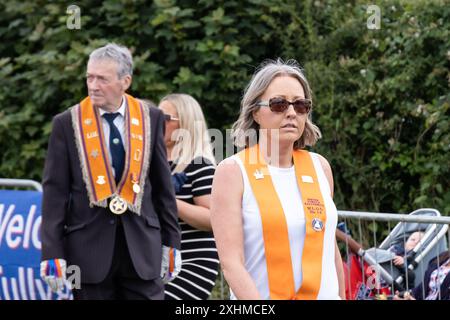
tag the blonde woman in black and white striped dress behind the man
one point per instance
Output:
(192, 163)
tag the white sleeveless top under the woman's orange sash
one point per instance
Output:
(285, 183)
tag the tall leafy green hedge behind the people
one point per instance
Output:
(381, 96)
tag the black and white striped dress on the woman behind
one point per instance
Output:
(200, 261)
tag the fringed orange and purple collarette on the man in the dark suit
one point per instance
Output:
(94, 154)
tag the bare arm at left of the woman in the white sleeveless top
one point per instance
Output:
(226, 221)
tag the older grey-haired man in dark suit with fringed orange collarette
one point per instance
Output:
(108, 204)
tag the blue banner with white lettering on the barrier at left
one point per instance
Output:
(20, 248)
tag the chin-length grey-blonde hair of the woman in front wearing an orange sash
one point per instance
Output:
(267, 71)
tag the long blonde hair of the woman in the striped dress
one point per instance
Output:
(192, 139)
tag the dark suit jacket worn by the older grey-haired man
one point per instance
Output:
(84, 236)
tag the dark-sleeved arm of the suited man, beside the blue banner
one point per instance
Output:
(56, 193)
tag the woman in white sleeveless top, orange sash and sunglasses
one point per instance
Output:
(272, 210)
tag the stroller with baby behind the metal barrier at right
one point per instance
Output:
(397, 263)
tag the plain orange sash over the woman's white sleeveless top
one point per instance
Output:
(275, 230)
